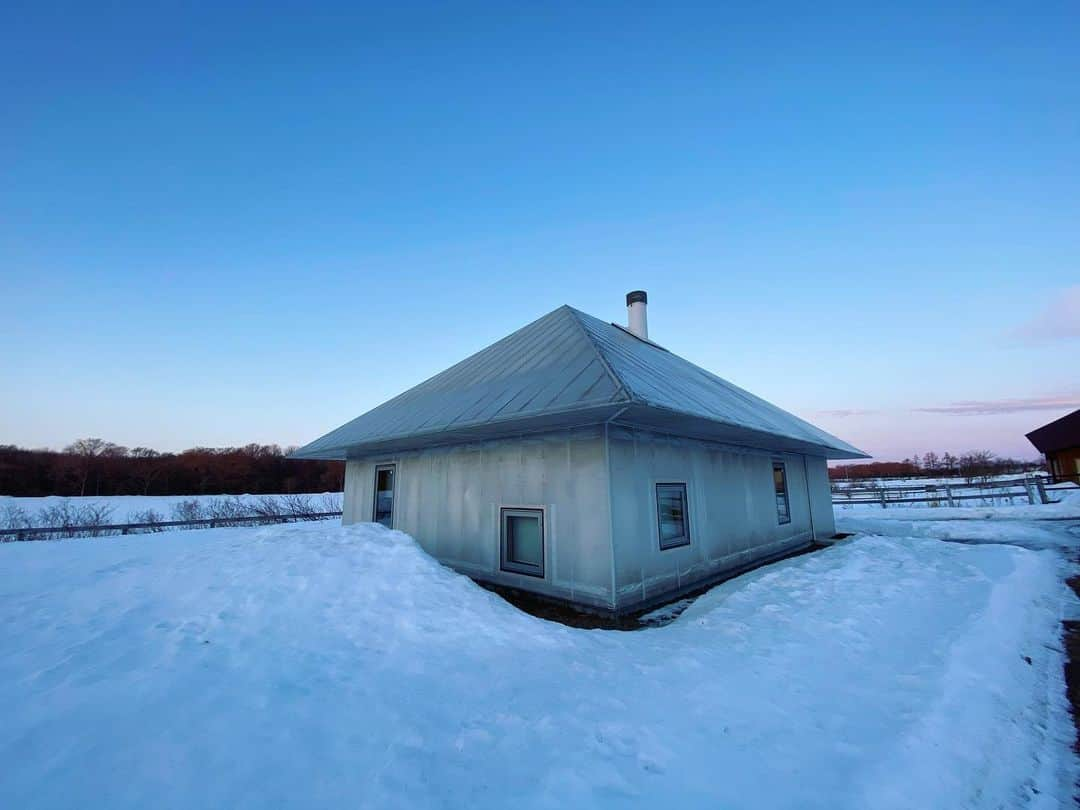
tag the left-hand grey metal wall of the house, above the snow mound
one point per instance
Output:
(449, 498)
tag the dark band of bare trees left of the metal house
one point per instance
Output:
(97, 468)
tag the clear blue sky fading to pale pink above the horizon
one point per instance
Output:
(229, 224)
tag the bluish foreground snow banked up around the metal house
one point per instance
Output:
(316, 666)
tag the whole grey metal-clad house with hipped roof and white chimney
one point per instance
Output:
(579, 461)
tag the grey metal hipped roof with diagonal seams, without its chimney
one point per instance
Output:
(570, 370)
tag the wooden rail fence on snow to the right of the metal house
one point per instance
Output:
(1032, 489)
